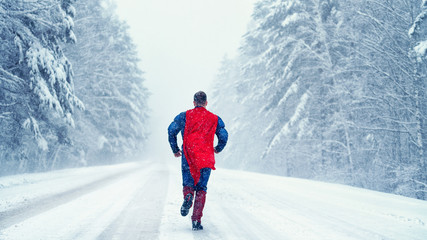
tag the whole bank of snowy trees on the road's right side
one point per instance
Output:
(331, 90)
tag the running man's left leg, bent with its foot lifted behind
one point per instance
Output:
(188, 187)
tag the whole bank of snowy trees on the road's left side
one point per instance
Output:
(71, 89)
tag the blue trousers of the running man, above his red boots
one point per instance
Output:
(187, 179)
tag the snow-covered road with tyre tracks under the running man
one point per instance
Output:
(142, 201)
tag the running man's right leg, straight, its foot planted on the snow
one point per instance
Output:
(199, 202)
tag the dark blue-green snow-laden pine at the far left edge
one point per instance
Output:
(37, 98)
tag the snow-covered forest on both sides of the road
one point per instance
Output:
(320, 89)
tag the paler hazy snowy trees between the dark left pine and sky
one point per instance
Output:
(110, 82)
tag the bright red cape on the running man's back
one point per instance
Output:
(198, 143)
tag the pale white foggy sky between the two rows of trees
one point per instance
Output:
(181, 44)
